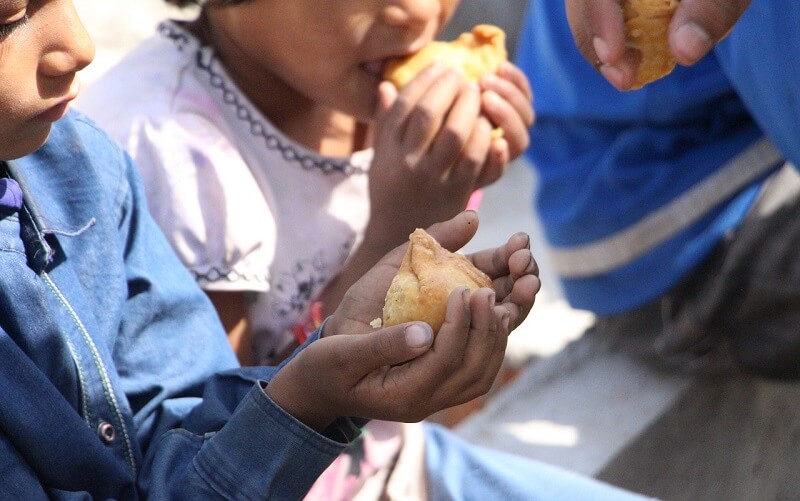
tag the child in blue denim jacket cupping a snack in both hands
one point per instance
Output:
(117, 379)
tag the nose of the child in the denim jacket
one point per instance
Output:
(70, 49)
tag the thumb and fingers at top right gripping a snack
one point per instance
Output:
(696, 27)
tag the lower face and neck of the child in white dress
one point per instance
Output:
(313, 66)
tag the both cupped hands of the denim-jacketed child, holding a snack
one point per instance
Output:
(401, 373)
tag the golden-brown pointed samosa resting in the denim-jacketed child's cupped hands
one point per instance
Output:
(427, 276)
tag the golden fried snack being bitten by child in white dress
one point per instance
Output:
(475, 54)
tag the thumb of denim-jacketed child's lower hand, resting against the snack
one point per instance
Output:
(392, 346)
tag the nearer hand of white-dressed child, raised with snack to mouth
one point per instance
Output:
(430, 147)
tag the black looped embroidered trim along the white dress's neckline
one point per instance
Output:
(244, 113)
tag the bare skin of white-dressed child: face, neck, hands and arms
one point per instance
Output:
(314, 69)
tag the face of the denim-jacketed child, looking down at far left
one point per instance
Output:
(42, 46)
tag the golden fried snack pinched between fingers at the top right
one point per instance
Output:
(646, 25)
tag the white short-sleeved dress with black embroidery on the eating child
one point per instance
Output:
(245, 207)
